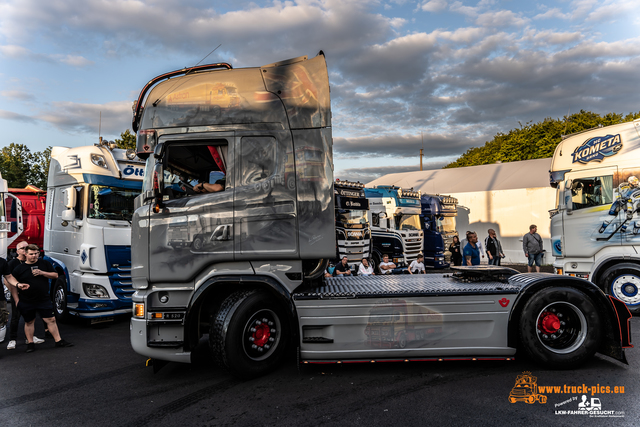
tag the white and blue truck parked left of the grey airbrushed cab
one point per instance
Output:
(87, 236)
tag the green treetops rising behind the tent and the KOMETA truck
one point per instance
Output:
(535, 140)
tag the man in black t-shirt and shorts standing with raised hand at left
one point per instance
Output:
(33, 295)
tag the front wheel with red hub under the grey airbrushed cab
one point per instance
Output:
(249, 334)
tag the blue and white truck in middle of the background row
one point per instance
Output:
(396, 230)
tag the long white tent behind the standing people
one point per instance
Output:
(507, 197)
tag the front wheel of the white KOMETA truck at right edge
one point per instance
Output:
(623, 282)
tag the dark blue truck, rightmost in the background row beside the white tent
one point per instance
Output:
(438, 220)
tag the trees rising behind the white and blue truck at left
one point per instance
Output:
(21, 167)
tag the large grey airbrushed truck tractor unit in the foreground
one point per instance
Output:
(235, 228)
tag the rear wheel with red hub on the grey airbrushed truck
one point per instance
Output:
(560, 327)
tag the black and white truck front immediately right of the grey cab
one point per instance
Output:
(353, 234)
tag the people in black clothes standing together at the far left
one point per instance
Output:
(27, 277)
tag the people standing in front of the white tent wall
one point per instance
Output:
(472, 252)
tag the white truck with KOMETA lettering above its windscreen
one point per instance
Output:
(595, 228)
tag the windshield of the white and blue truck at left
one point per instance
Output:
(107, 202)
